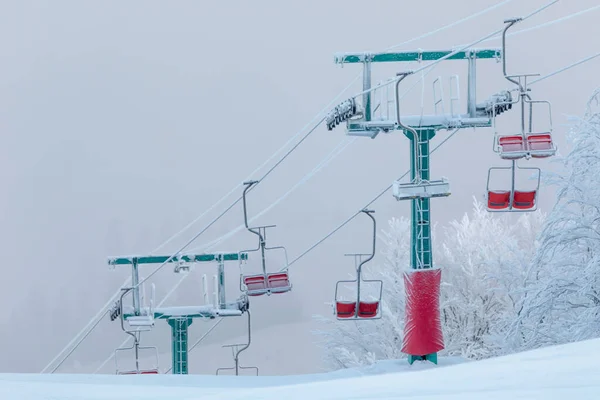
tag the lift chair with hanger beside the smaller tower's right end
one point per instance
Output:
(266, 282)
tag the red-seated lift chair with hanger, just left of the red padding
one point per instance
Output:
(359, 308)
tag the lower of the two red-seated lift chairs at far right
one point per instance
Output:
(512, 199)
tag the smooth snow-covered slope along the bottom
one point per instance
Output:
(558, 372)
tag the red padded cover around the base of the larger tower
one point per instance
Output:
(423, 328)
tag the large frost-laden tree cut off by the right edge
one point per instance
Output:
(563, 290)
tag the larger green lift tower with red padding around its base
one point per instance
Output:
(423, 333)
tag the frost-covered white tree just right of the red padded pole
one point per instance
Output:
(485, 258)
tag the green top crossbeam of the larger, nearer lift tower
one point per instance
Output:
(416, 56)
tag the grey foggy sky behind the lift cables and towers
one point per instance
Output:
(123, 121)
